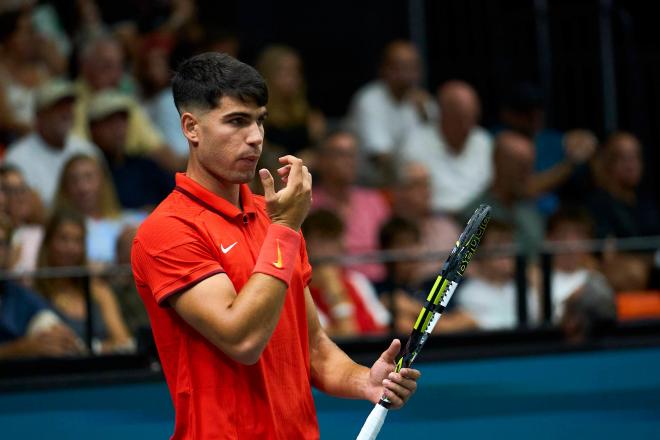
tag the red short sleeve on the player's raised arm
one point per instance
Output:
(174, 269)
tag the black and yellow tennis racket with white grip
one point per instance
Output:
(451, 274)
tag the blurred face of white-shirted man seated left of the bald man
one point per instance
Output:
(401, 70)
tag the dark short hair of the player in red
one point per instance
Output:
(204, 79)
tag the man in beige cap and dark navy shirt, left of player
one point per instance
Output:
(140, 182)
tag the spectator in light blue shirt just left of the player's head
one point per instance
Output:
(154, 74)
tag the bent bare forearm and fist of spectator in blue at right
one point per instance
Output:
(579, 147)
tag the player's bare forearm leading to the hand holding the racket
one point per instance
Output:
(333, 372)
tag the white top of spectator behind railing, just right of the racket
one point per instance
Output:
(492, 306)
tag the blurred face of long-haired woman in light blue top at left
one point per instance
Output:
(82, 183)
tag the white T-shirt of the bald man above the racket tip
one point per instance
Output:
(456, 178)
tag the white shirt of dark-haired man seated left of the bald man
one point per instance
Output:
(380, 122)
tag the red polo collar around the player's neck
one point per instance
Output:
(213, 202)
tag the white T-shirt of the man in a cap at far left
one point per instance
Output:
(42, 164)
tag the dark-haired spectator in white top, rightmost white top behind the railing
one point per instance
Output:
(569, 227)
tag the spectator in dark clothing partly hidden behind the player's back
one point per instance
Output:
(123, 284)
